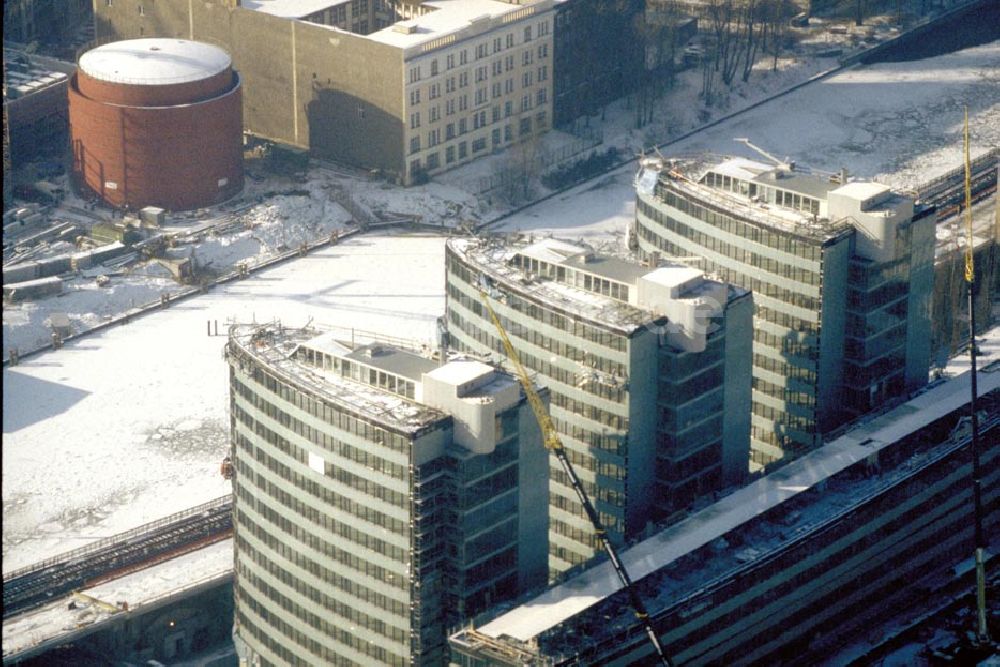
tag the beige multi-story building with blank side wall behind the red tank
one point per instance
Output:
(407, 88)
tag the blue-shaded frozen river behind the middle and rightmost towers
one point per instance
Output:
(900, 123)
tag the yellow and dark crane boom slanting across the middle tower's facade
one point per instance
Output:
(550, 437)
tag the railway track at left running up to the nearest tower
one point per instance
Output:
(115, 556)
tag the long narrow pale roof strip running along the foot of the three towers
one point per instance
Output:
(560, 603)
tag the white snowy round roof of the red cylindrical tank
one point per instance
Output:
(154, 61)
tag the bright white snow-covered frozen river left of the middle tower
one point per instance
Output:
(130, 424)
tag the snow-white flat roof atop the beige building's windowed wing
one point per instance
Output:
(448, 17)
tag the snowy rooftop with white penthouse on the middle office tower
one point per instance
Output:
(621, 294)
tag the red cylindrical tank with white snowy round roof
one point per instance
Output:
(157, 122)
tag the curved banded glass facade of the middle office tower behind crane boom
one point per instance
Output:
(591, 371)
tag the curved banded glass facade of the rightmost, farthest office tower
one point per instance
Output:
(804, 381)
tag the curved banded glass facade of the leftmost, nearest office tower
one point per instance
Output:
(348, 551)
